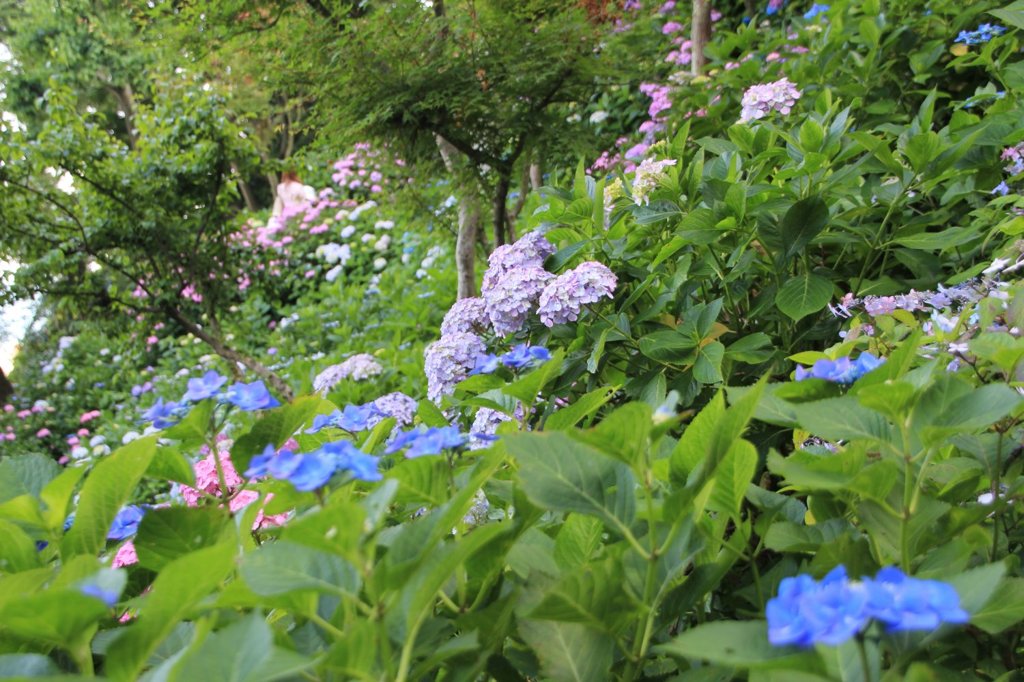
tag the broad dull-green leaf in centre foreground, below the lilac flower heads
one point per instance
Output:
(563, 475)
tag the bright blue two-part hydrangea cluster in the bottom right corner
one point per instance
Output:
(807, 613)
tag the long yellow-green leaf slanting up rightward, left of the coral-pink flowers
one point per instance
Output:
(108, 488)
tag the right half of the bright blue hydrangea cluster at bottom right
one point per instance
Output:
(910, 604)
